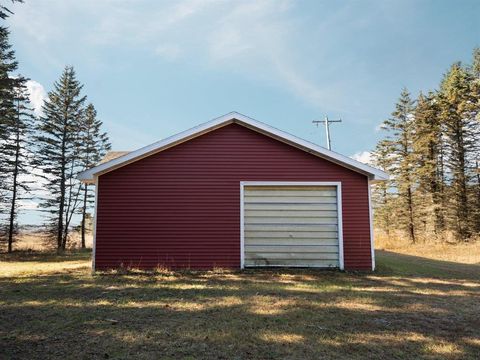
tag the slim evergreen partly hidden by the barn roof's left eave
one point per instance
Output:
(93, 146)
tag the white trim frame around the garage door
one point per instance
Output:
(338, 186)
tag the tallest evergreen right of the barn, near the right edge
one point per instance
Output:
(457, 104)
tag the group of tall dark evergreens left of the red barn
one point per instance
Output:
(50, 149)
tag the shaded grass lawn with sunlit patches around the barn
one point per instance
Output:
(52, 307)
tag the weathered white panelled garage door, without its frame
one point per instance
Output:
(291, 225)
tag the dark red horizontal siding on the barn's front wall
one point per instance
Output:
(181, 207)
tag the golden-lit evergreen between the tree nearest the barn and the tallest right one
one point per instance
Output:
(428, 150)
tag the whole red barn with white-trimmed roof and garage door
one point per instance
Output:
(233, 192)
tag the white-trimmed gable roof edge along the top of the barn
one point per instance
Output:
(237, 118)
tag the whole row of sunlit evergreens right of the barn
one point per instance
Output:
(431, 149)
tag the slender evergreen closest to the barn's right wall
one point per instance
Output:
(399, 144)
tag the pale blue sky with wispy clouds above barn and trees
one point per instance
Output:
(154, 68)
